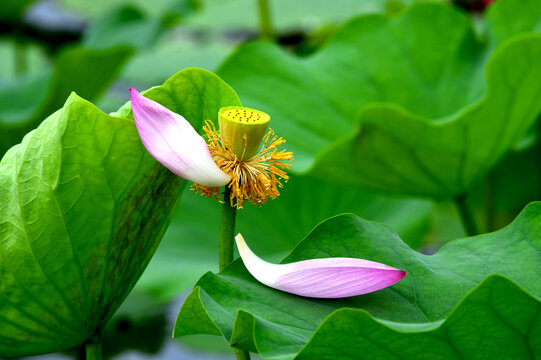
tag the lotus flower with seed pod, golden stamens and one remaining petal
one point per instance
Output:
(231, 156)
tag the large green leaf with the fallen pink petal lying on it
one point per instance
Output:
(493, 317)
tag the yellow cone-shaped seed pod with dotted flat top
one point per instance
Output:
(243, 129)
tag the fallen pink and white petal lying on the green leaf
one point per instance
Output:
(321, 278)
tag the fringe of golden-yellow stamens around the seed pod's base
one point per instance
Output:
(255, 179)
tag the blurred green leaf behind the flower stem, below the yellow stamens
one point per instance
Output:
(190, 245)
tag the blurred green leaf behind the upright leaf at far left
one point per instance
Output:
(25, 104)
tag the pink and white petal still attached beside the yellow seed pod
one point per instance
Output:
(171, 140)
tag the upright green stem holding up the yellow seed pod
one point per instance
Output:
(227, 233)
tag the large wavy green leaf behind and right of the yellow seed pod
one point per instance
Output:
(402, 104)
